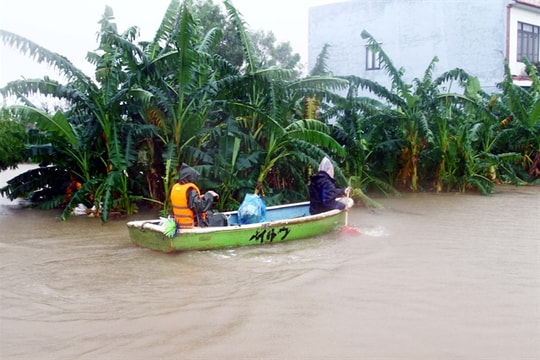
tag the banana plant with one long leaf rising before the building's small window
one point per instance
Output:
(429, 120)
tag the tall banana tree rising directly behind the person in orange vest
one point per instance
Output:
(176, 91)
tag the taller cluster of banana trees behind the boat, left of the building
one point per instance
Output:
(153, 106)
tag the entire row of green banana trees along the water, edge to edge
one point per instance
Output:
(207, 91)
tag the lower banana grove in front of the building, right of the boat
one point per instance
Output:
(417, 136)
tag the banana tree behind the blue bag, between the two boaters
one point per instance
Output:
(269, 105)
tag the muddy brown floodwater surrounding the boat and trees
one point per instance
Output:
(451, 276)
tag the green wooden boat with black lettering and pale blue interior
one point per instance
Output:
(283, 223)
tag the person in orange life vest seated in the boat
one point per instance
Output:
(190, 207)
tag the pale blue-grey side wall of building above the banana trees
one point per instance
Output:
(467, 34)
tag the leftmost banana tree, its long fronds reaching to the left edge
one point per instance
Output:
(96, 110)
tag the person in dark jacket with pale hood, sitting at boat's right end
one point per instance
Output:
(324, 194)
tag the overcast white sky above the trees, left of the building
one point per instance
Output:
(69, 27)
